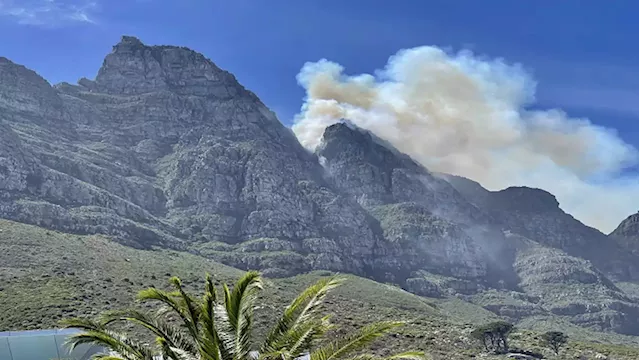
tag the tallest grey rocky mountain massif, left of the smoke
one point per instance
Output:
(167, 149)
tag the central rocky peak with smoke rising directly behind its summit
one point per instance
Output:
(427, 224)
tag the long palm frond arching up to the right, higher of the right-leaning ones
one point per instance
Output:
(301, 310)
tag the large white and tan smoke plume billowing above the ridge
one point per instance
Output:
(468, 116)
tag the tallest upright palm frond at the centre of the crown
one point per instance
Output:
(239, 305)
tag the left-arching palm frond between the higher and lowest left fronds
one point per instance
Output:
(160, 328)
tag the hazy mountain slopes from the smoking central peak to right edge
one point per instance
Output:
(449, 245)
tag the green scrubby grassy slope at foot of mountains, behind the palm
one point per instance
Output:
(46, 276)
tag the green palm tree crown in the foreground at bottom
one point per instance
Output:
(209, 328)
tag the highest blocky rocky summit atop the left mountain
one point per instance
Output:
(135, 68)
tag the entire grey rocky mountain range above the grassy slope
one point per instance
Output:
(163, 149)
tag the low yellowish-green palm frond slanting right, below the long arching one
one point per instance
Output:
(354, 342)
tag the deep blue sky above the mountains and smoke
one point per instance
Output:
(582, 55)
